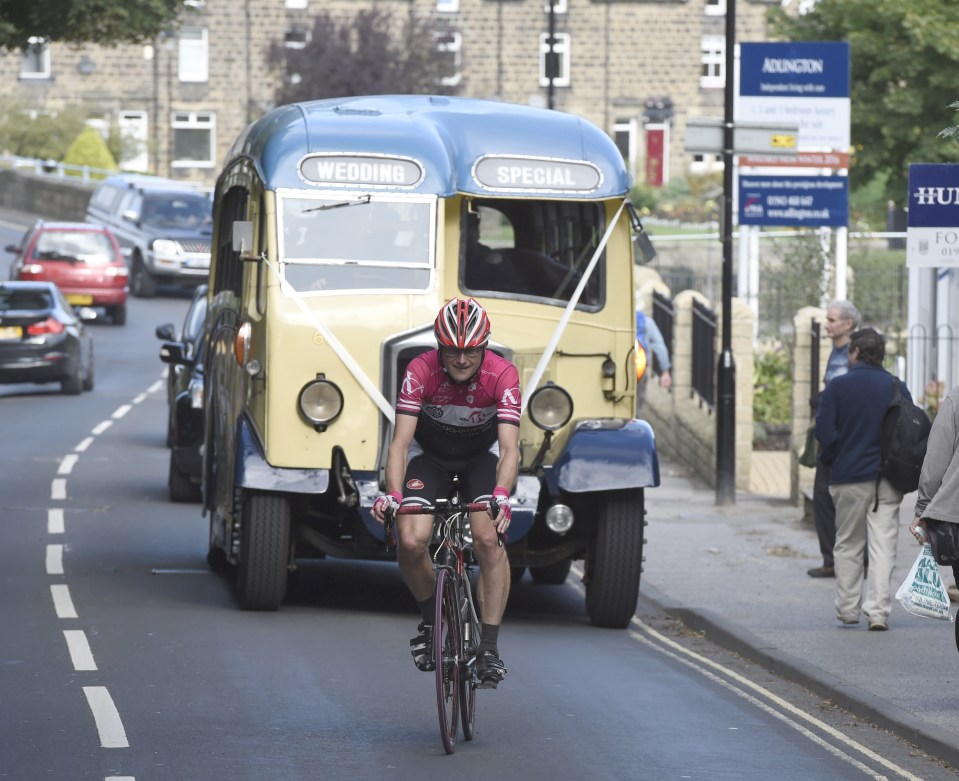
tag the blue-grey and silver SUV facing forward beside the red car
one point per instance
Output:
(164, 228)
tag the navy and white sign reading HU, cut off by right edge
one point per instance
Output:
(932, 236)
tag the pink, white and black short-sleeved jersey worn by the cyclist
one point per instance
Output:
(458, 421)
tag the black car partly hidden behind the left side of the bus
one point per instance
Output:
(185, 399)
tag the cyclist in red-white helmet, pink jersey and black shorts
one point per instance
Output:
(458, 412)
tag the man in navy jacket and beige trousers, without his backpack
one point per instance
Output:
(849, 423)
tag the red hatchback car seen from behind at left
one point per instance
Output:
(84, 260)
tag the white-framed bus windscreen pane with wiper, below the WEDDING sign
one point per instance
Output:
(356, 242)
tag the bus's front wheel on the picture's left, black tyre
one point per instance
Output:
(264, 551)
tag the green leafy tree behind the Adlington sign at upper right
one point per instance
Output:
(904, 61)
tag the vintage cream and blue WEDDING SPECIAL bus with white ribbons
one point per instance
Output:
(340, 228)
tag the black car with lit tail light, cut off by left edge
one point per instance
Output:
(42, 338)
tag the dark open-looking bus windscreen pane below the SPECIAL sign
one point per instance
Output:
(537, 250)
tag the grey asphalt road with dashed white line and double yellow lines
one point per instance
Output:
(122, 657)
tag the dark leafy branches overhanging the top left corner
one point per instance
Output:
(106, 22)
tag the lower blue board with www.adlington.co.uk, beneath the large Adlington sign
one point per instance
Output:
(801, 201)
